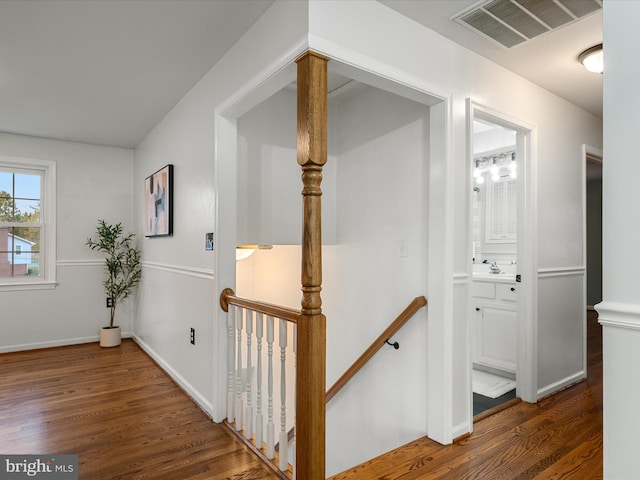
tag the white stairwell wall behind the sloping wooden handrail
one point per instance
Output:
(376, 270)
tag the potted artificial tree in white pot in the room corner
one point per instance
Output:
(123, 269)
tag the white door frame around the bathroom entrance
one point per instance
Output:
(527, 266)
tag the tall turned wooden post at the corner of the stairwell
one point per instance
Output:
(311, 364)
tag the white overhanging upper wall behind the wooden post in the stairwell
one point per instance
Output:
(269, 184)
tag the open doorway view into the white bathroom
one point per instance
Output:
(494, 332)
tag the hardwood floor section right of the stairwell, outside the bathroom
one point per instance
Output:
(560, 437)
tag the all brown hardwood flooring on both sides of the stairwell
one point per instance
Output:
(126, 419)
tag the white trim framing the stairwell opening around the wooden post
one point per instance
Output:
(440, 217)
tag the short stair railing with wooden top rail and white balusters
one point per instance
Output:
(246, 318)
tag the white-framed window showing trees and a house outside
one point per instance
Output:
(27, 223)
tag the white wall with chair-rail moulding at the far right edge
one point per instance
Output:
(619, 311)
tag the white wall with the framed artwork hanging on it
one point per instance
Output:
(181, 281)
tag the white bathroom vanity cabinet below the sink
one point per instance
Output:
(495, 326)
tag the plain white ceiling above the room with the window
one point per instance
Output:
(106, 72)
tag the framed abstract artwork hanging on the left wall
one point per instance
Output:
(158, 189)
